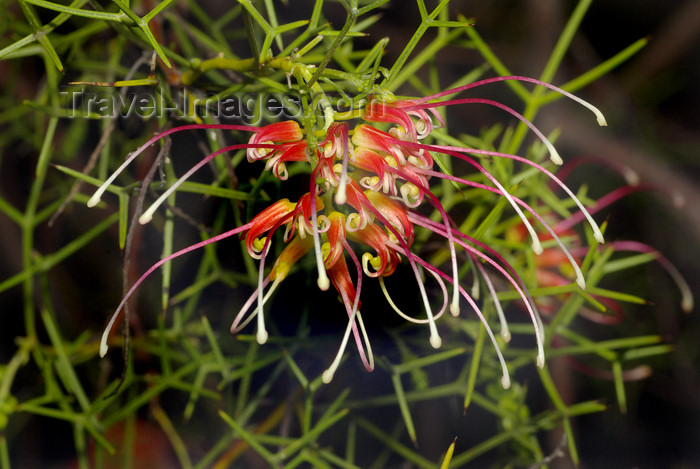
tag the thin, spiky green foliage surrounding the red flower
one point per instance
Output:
(211, 399)
